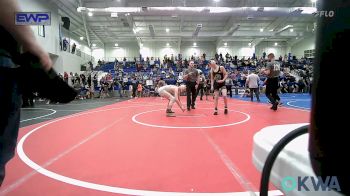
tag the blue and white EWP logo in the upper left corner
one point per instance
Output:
(33, 18)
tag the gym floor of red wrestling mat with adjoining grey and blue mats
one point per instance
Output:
(129, 147)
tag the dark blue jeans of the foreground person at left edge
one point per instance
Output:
(10, 105)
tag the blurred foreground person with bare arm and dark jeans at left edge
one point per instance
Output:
(12, 38)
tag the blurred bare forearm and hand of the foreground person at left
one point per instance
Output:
(22, 33)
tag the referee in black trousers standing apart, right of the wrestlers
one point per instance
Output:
(272, 72)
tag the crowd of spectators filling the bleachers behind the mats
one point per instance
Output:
(139, 76)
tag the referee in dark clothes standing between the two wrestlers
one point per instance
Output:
(191, 76)
